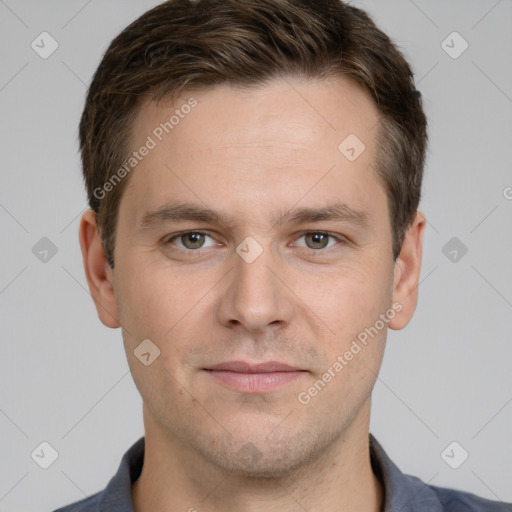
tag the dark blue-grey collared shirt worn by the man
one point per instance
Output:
(402, 493)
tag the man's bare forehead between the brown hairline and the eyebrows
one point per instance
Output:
(288, 137)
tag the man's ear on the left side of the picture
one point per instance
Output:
(97, 271)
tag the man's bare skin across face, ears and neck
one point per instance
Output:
(248, 154)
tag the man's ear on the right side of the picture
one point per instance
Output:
(407, 272)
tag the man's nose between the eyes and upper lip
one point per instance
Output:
(256, 297)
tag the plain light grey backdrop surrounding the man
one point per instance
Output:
(445, 378)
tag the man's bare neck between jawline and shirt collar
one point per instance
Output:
(174, 477)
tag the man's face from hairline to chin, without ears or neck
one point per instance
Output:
(285, 296)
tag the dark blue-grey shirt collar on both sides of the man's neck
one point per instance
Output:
(402, 493)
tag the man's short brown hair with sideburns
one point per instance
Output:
(182, 44)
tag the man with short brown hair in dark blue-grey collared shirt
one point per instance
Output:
(254, 170)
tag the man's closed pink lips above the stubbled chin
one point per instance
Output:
(254, 378)
